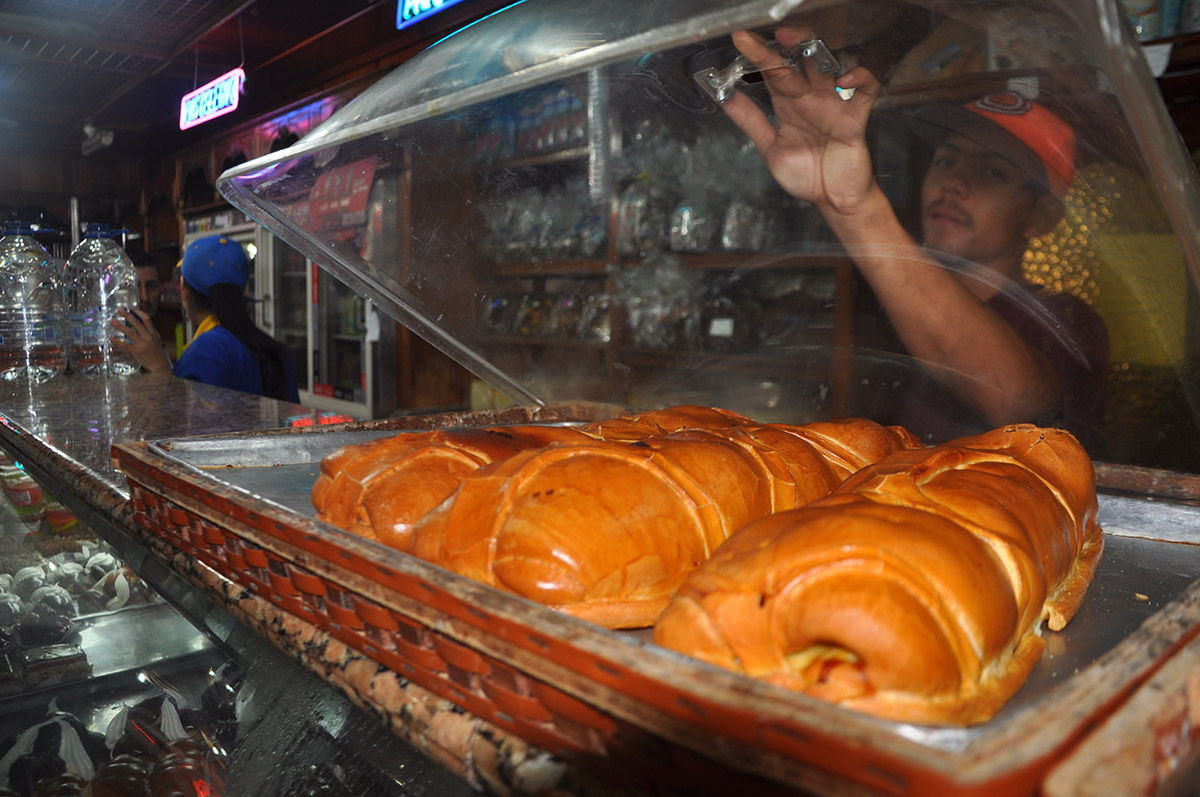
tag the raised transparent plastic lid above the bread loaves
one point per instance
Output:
(944, 215)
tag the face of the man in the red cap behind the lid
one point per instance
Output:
(977, 203)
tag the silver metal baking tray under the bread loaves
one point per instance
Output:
(1151, 559)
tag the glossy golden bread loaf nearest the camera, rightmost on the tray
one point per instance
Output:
(917, 590)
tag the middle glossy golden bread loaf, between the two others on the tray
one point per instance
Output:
(607, 531)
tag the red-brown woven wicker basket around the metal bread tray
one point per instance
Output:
(611, 702)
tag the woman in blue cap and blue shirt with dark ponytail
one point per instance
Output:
(227, 350)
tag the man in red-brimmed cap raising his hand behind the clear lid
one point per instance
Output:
(995, 350)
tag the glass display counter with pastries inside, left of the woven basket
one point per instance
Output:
(119, 675)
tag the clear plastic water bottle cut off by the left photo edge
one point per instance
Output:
(31, 308)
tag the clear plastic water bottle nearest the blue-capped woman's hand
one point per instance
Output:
(98, 280)
